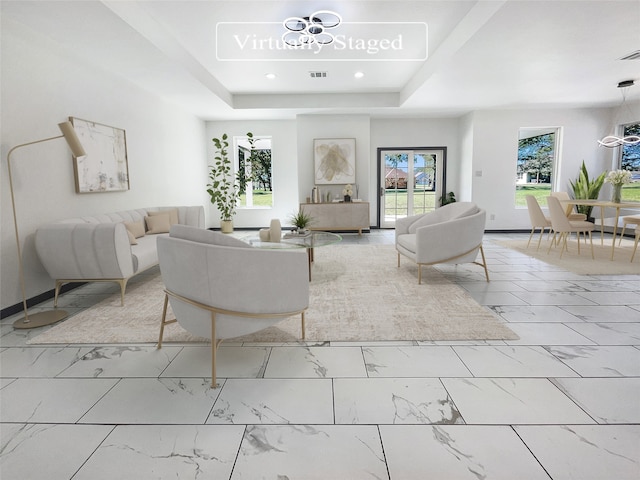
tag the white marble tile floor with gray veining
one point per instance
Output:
(562, 402)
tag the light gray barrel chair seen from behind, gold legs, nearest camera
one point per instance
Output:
(220, 287)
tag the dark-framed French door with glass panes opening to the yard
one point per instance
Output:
(411, 182)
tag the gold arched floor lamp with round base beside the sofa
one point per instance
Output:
(52, 316)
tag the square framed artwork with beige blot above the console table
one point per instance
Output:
(334, 160)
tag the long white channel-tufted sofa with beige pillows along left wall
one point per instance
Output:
(110, 247)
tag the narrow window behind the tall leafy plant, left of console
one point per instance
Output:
(253, 164)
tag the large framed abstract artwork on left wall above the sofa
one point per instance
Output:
(105, 167)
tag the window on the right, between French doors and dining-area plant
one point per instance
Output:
(535, 165)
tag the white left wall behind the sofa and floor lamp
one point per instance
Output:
(41, 87)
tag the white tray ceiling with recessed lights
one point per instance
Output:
(481, 54)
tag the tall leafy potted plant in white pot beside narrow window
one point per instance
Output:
(223, 188)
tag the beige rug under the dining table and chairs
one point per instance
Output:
(583, 264)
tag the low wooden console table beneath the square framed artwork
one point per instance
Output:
(338, 216)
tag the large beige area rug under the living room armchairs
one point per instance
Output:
(357, 294)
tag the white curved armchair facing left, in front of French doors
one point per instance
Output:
(450, 234)
